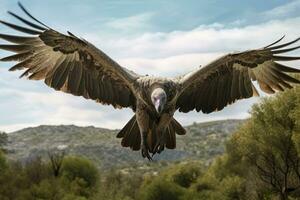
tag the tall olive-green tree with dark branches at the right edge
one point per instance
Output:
(267, 143)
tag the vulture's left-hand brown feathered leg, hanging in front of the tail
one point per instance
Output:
(143, 123)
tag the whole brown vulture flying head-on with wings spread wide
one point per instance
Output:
(73, 65)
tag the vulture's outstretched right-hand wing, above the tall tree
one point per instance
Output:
(228, 78)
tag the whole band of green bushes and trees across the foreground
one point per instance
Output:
(261, 162)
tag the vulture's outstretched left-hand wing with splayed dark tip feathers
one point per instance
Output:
(68, 64)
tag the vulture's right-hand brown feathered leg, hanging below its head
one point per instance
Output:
(163, 124)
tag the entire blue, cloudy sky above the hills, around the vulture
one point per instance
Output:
(157, 37)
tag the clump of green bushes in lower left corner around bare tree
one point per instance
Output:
(35, 180)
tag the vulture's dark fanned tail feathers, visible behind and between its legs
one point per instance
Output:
(131, 136)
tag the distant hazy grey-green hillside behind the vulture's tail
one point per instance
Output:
(203, 141)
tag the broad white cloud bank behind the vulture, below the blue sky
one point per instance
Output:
(24, 103)
